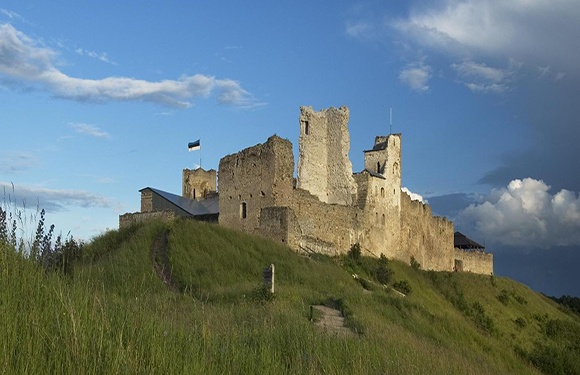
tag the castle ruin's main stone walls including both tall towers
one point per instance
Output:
(328, 208)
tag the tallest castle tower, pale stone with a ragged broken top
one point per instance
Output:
(324, 168)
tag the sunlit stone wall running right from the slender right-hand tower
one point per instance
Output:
(429, 239)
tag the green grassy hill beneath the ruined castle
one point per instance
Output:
(113, 313)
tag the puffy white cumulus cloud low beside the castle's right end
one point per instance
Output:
(525, 213)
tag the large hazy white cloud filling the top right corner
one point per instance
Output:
(544, 32)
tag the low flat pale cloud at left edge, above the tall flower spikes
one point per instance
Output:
(54, 200)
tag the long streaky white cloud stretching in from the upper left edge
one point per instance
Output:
(21, 58)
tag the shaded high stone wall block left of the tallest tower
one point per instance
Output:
(256, 177)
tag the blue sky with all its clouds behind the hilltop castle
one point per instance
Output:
(99, 100)
